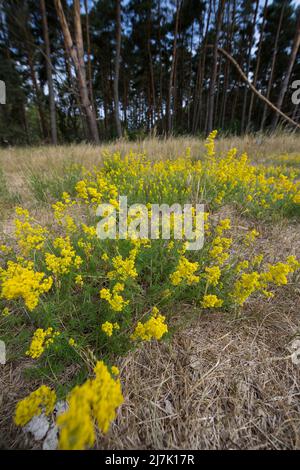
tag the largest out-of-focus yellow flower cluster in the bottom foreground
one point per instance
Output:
(98, 399)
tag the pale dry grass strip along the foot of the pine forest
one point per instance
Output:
(19, 160)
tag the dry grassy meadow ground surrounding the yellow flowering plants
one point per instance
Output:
(223, 381)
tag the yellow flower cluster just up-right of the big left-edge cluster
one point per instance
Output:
(62, 264)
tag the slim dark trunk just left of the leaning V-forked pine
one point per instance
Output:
(49, 74)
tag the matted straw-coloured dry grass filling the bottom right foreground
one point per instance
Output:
(219, 385)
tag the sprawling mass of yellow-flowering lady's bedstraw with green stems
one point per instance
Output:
(87, 301)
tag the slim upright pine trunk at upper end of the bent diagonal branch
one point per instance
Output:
(211, 101)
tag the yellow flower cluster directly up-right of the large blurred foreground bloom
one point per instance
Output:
(155, 327)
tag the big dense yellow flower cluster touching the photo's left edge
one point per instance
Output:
(19, 281)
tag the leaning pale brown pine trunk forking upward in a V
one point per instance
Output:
(76, 52)
